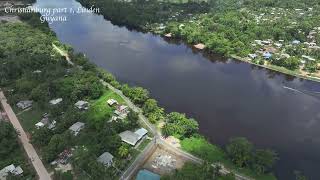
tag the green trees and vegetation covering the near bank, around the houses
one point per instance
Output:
(32, 69)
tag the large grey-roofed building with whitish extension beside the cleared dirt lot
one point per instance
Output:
(133, 138)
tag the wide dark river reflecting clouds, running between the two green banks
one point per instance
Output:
(229, 98)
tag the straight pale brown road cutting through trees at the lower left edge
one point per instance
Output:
(31, 152)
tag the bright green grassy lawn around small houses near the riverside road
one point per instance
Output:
(99, 109)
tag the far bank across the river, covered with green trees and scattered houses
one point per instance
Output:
(248, 30)
